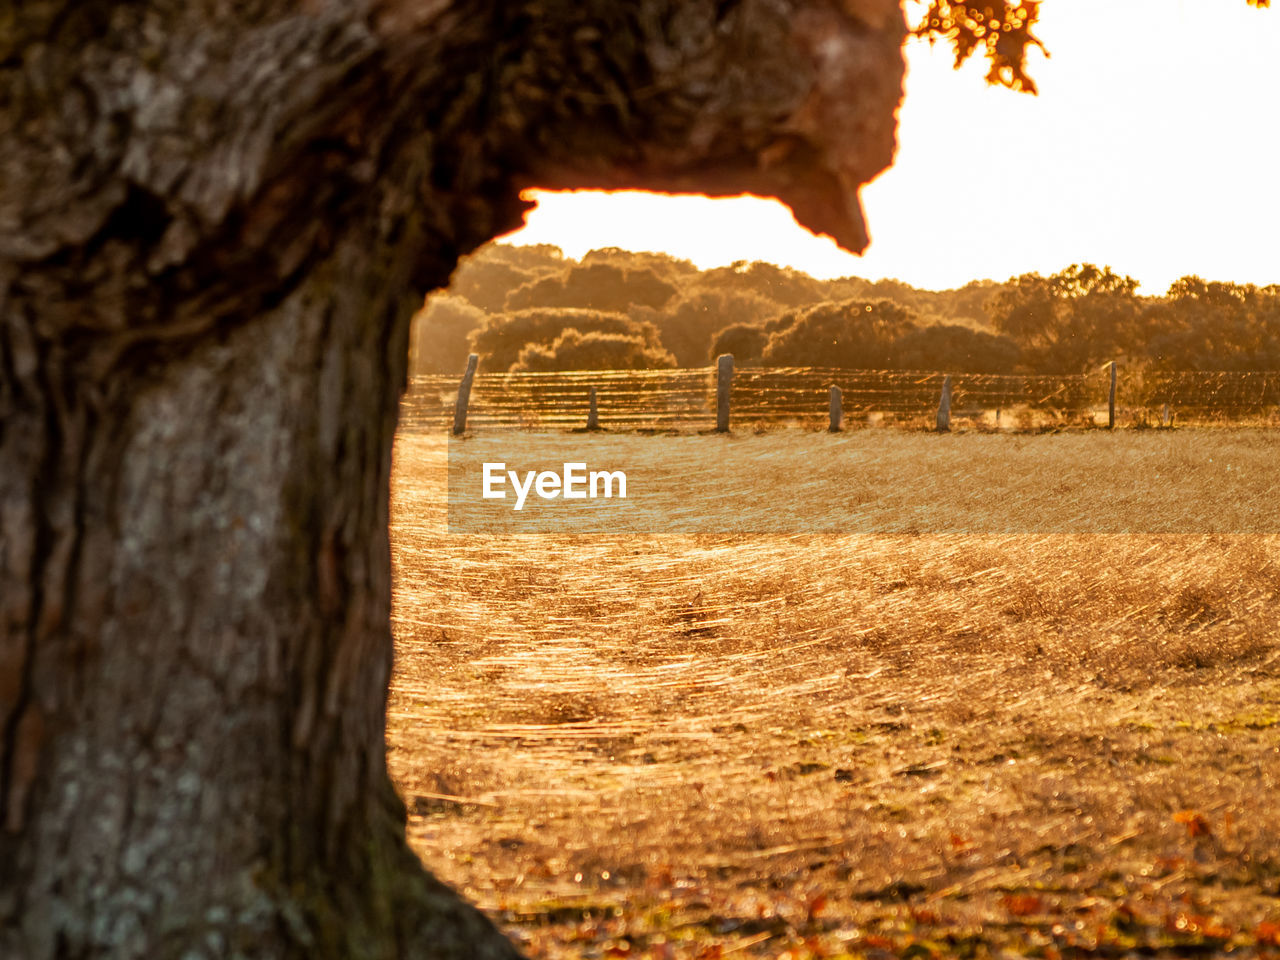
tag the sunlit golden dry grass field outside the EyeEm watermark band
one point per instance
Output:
(849, 744)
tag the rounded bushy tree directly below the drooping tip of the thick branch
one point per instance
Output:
(857, 335)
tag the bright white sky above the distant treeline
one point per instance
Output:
(1153, 148)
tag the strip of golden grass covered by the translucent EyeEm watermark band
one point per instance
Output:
(888, 482)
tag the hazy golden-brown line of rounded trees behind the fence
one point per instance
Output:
(534, 309)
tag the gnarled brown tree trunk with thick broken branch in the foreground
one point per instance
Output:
(216, 221)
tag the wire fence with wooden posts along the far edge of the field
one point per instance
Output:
(687, 400)
